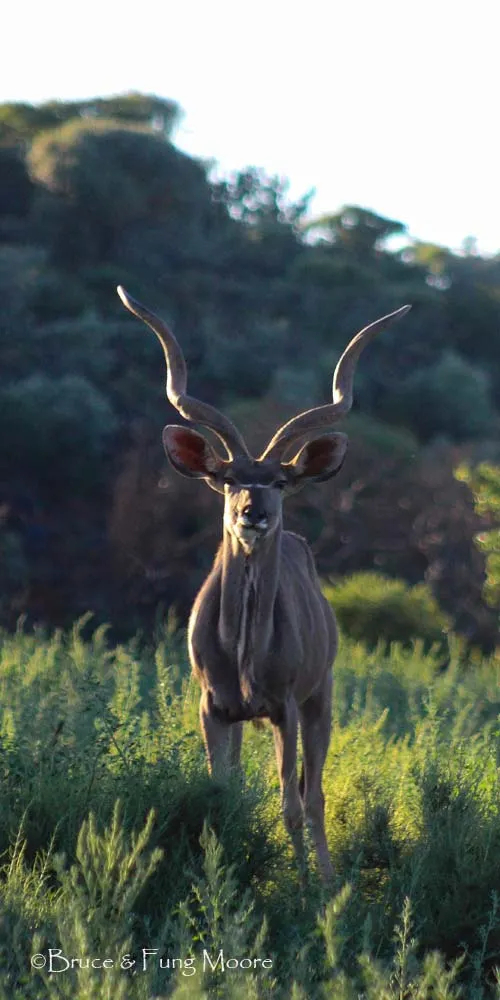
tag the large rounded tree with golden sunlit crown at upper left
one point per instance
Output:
(102, 177)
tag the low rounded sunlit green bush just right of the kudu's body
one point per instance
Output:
(372, 608)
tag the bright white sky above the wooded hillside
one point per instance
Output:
(388, 104)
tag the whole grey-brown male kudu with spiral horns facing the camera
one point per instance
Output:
(262, 638)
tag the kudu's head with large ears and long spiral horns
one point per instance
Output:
(254, 488)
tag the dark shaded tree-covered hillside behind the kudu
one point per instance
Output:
(263, 300)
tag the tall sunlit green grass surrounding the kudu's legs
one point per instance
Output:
(114, 840)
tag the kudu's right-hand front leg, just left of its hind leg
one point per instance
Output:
(285, 742)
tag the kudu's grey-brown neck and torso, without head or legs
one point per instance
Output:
(283, 647)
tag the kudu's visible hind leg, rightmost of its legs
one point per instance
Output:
(315, 721)
